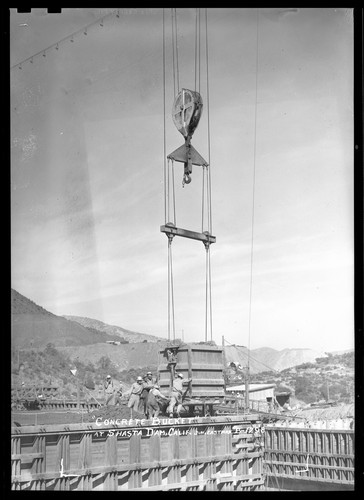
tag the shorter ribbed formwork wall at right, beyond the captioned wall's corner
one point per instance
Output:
(321, 454)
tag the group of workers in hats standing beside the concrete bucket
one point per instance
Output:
(145, 396)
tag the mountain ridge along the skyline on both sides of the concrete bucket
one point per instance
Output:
(35, 327)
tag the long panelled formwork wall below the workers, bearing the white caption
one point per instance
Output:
(215, 453)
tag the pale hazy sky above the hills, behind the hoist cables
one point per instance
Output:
(87, 171)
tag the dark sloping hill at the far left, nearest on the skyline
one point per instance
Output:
(34, 326)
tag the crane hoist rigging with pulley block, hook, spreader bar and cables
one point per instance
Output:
(186, 114)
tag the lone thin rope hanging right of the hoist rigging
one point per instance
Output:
(253, 203)
